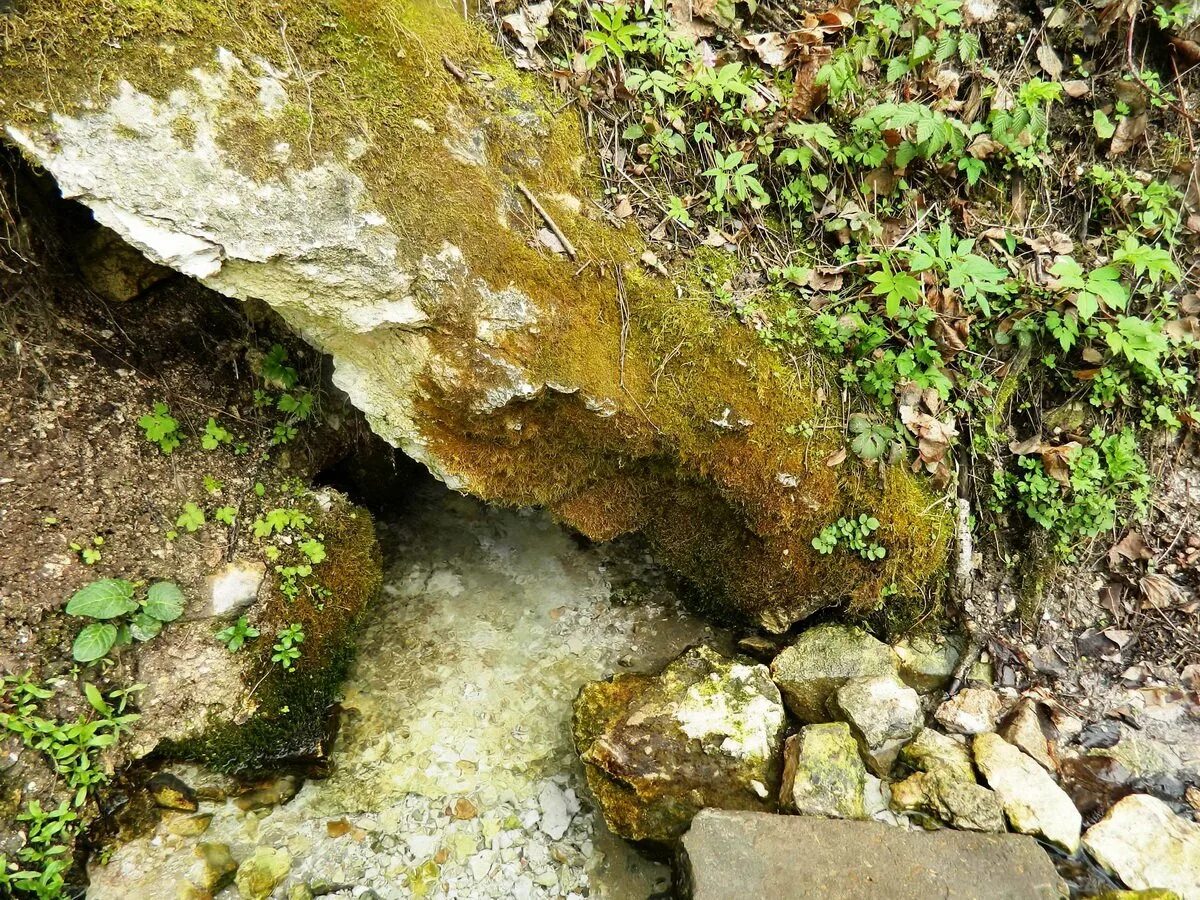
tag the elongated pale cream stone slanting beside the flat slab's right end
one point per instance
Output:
(1033, 802)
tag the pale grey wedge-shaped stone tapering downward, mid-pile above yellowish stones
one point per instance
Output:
(884, 716)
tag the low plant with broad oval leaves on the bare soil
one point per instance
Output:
(121, 617)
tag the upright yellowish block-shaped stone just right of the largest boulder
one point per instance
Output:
(824, 775)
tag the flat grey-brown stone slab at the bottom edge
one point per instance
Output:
(734, 856)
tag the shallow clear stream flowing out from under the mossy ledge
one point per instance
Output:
(454, 773)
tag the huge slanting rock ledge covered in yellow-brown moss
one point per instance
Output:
(365, 170)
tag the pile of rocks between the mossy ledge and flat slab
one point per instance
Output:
(875, 741)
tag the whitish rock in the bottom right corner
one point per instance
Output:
(1147, 845)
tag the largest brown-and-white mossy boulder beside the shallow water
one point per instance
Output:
(706, 733)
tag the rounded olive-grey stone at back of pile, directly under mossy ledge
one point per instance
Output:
(824, 659)
